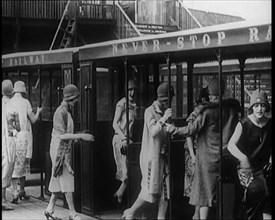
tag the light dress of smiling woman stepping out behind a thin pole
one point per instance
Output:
(120, 159)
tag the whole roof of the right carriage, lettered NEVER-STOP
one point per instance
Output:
(237, 40)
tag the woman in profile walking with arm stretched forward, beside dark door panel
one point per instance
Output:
(63, 135)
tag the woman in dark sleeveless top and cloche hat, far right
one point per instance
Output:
(251, 145)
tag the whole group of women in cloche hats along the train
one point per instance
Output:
(247, 139)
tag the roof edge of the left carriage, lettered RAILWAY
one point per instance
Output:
(60, 56)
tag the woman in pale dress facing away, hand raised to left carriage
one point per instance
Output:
(24, 140)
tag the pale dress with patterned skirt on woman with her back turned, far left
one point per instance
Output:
(23, 138)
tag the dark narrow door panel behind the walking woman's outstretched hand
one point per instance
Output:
(87, 124)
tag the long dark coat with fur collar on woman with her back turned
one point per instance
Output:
(206, 126)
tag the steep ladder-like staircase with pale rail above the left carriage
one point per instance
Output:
(67, 26)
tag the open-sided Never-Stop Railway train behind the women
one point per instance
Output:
(239, 52)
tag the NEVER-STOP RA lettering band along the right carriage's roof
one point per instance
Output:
(219, 38)
